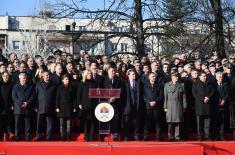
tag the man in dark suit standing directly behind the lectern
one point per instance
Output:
(112, 81)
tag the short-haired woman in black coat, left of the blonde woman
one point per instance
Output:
(65, 106)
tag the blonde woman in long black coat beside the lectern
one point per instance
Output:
(87, 105)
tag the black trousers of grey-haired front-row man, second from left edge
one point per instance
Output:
(19, 125)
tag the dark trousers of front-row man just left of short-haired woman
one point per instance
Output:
(40, 125)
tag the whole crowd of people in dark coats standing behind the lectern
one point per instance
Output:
(187, 94)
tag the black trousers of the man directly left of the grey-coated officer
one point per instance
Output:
(153, 117)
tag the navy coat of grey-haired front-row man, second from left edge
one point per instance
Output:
(22, 94)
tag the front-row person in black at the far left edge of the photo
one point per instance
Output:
(6, 106)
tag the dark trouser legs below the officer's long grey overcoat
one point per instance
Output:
(174, 131)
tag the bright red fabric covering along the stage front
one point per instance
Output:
(117, 148)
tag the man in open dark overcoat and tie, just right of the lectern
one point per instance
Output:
(133, 105)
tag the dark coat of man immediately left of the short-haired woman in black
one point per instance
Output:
(46, 97)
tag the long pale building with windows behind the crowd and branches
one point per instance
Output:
(38, 35)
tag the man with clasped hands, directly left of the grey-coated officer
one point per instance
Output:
(153, 98)
